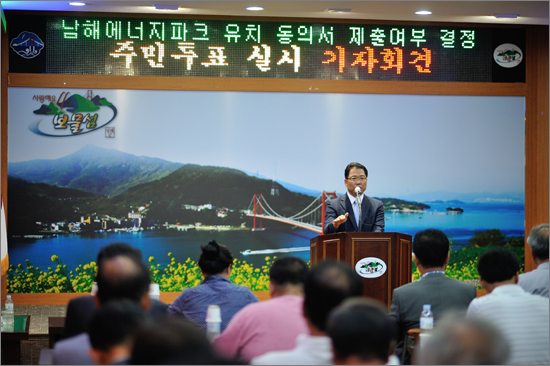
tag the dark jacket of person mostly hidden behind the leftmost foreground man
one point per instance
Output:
(81, 309)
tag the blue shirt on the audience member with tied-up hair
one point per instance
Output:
(214, 290)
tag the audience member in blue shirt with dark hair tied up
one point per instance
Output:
(215, 263)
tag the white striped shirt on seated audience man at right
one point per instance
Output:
(522, 318)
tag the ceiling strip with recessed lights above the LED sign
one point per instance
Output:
(530, 12)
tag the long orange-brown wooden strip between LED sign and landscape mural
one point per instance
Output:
(266, 85)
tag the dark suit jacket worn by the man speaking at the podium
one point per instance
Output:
(372, 212)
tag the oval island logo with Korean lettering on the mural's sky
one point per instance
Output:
(72, 115)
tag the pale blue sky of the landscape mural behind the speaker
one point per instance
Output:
(409, 143)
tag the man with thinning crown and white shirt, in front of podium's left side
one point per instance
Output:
(326, 286)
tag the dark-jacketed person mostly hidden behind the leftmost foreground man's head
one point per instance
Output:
(81, 309)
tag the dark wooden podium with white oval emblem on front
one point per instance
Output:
(367, 254)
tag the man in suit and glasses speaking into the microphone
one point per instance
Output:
(348, 214)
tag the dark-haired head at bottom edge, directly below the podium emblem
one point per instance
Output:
(361, 328)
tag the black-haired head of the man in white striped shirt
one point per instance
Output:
(497, 265)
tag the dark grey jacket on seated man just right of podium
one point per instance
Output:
(441, 292)
